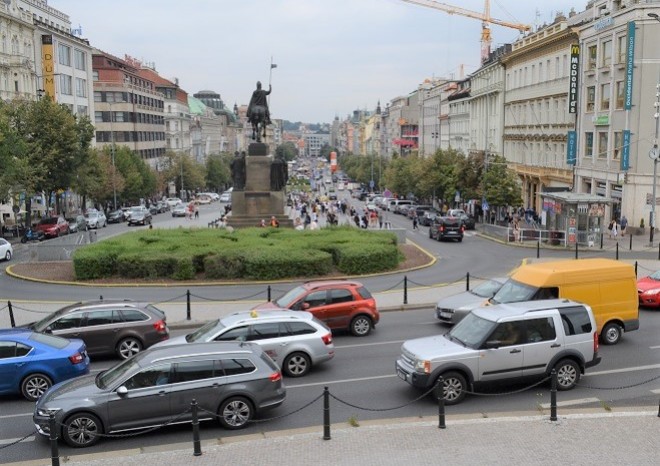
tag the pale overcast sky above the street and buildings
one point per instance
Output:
(332, 56)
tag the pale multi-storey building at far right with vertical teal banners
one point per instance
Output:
(618, 96)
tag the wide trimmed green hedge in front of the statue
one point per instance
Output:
(252, 253)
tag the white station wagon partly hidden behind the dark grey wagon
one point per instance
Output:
(295, 340)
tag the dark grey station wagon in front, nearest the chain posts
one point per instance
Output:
(231, 382)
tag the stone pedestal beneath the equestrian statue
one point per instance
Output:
(257, 202)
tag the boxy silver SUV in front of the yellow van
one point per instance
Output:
(504, 342)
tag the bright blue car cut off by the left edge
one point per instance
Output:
(30, 362)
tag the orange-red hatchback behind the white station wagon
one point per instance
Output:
(341, 304)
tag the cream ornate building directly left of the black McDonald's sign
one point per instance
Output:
(536, 110)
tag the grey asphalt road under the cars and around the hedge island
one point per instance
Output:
(362, 373)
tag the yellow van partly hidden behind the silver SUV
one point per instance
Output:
(608, 286)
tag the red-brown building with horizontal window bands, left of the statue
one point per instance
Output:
(129, 111)
